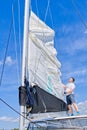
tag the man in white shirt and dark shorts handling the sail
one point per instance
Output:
(69, 91)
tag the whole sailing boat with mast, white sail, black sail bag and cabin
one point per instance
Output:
(41, 95)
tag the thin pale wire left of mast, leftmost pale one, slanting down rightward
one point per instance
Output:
(15, 44)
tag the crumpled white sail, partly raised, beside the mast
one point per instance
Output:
(43, 66)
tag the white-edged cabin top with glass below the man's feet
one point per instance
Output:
(56, 123)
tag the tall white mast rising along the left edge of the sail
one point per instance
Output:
(25, 42)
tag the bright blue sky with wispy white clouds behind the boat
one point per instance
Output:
(70, 42)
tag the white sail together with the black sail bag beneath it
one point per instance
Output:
(44, 68)
